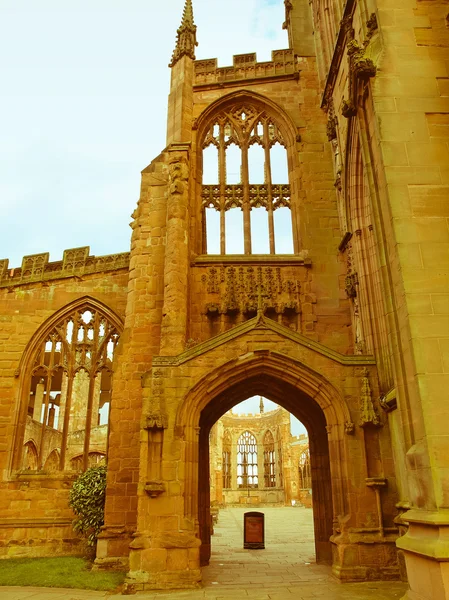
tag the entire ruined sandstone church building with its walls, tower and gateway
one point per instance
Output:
(291, 245)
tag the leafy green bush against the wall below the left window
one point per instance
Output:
(87, 498)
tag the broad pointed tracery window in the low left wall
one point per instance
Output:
(68, 386)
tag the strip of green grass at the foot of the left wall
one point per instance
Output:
(67, 572)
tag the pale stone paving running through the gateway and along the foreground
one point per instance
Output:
(285, 570)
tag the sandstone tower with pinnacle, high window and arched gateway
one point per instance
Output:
(204, 330)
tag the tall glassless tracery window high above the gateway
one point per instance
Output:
(245, 185)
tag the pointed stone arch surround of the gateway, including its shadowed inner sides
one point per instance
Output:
(307, 395)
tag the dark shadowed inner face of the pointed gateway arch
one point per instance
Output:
(304, 408)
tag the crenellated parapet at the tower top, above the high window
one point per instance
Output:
(245, 66)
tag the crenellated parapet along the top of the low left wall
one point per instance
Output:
(75, 261)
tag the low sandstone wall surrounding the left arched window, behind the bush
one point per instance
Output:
(35, 518)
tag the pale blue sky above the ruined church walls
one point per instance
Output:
(83, 108)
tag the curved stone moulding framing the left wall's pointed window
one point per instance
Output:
(36, 340)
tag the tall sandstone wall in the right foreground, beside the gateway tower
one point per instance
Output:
(386, 95)
